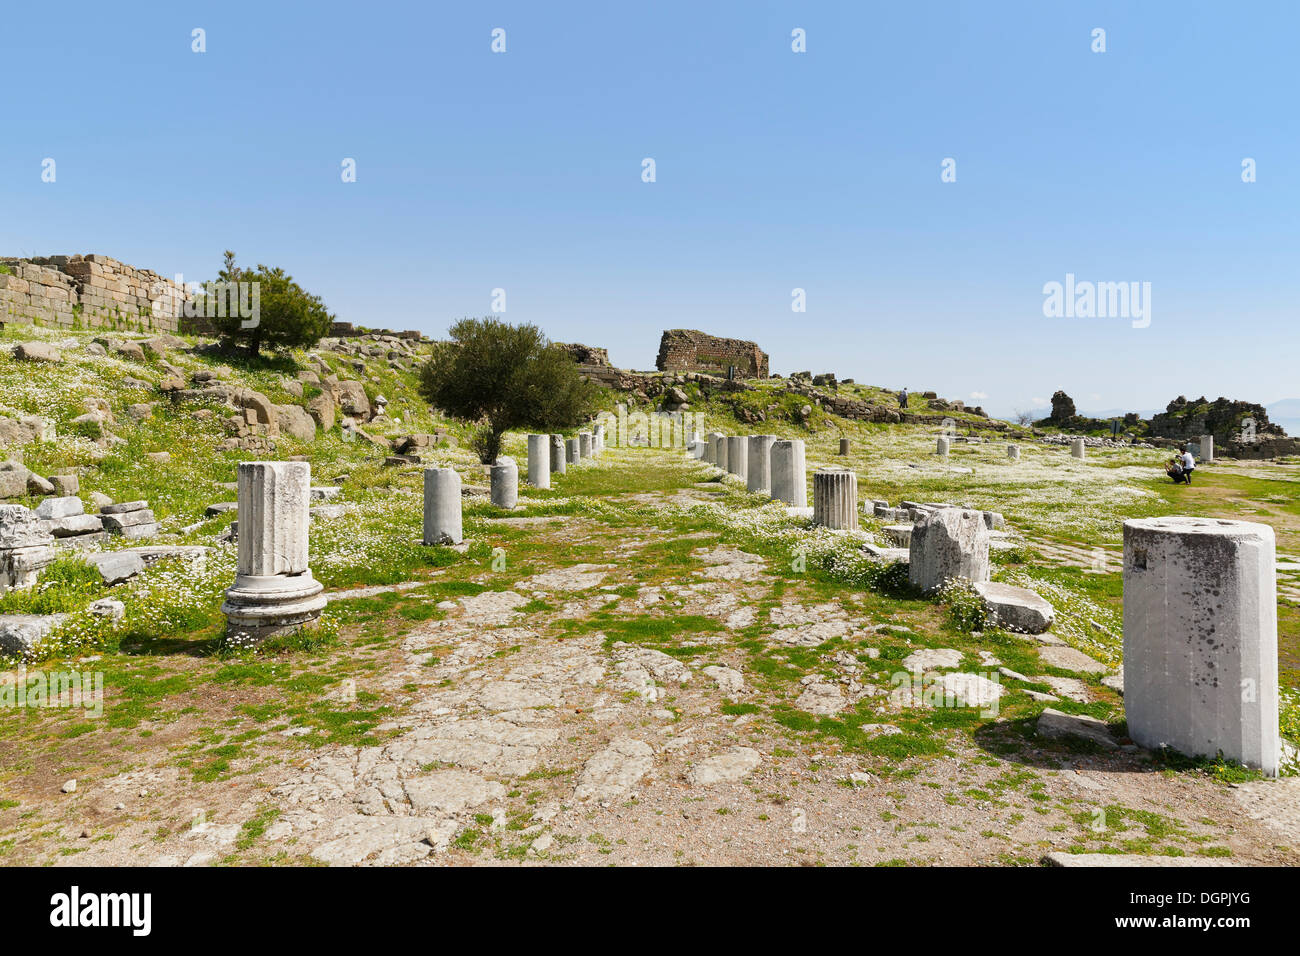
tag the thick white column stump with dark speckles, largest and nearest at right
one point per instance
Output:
(1202, 638)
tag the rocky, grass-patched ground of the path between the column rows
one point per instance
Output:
(642, 682)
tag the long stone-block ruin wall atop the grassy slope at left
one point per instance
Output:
(90, 292)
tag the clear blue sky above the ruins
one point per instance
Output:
(775, 171)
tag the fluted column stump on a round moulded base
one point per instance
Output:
(275, 591)
